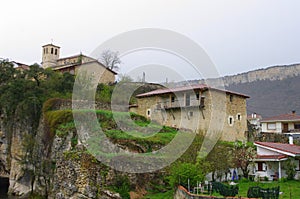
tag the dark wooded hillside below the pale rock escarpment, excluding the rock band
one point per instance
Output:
(271, 97)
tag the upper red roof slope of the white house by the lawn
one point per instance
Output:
(289, 148)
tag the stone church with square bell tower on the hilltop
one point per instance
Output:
(51, 59)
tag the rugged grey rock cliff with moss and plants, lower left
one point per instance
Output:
(51, 163)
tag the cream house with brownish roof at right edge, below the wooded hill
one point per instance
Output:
(286, 123)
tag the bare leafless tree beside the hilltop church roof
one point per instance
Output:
(110, 59)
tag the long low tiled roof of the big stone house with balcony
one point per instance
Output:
(186, 88)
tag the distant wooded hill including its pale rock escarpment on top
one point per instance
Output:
(273, 91)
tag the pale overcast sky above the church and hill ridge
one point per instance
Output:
(237, 35)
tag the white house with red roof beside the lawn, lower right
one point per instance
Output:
(272, 159)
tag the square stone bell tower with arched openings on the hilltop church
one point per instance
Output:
(50, 55)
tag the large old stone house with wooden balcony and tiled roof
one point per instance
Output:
(195, 107)
